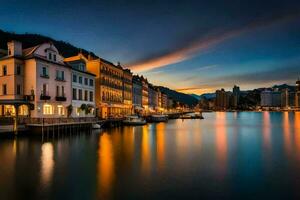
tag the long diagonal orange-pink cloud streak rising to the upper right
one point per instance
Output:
(203, 44)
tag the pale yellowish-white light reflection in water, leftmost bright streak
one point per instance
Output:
(47, 163)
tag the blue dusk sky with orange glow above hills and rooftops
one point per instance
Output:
(191, 46)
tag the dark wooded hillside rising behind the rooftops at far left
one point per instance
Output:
(30, 40)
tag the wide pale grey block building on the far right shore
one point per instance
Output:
(270, 98)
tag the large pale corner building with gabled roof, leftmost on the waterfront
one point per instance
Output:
(34, 80)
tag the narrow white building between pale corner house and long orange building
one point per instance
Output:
(83, 87)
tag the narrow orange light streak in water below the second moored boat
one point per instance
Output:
(160, 141)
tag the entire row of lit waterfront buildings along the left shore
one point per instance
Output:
(39, 82)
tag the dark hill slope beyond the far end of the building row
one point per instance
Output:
(180, 97)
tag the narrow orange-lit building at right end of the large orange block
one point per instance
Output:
(127, 91)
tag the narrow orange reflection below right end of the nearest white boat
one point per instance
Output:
(145, 153)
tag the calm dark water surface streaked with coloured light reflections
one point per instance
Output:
(243, 155)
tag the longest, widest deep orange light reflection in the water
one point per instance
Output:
(106, 174)
